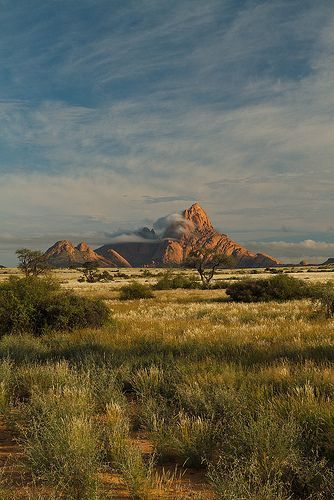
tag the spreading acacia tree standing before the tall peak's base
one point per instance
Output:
(206, 261)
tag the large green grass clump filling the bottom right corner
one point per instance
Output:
(262, 457)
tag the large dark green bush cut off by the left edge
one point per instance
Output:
(36, 305)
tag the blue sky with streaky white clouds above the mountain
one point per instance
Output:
(116, 112)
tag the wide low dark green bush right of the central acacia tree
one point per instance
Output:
(280, 287)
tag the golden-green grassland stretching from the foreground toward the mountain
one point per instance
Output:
(182, 396)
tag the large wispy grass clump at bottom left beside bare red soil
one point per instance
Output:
(58, 436)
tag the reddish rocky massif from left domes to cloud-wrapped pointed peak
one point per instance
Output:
(169, 245)
